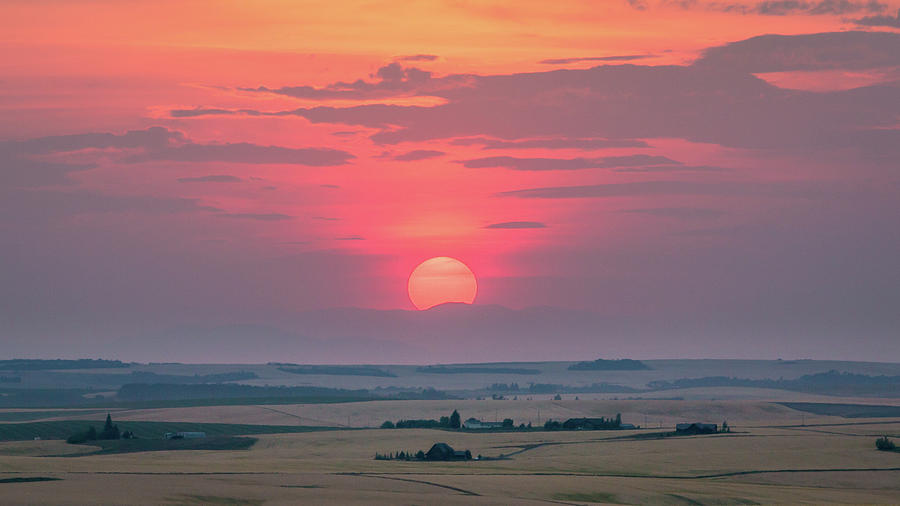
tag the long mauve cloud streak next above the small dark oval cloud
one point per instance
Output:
(657, 188)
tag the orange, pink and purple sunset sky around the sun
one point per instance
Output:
(648, 179)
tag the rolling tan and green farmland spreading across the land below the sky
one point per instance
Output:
(785, 446)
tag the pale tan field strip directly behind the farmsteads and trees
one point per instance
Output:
(648, 413)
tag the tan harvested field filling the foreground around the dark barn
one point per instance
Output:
(770, 459)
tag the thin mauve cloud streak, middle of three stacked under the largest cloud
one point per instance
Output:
(540, 164)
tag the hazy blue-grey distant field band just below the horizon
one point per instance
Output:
(482, 375)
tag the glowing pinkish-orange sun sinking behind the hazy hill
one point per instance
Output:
(439, 280)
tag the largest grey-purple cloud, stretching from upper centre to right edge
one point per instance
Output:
(715, 100)
